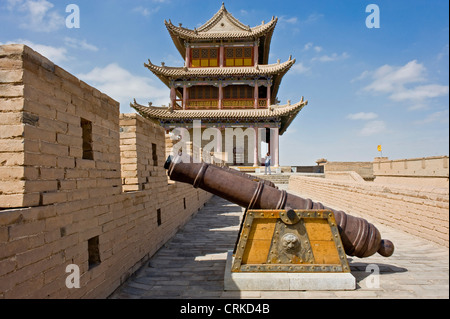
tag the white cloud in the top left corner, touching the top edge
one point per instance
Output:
(36, 15)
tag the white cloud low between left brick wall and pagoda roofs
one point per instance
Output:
(123, 86)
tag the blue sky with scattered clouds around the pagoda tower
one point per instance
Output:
(365, 87)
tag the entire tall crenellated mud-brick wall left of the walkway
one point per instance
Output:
(64, 153)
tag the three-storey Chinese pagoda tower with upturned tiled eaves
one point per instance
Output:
(226, 87)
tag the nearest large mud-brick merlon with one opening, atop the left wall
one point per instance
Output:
(59, 136)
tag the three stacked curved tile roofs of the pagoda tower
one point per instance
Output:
(222, 27)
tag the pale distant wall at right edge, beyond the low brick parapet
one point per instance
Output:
(429, 171)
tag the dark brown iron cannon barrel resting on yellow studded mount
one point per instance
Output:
(359, 237)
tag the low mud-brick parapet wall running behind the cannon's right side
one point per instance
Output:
(421, 211)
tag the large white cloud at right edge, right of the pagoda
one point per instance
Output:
(402, 84)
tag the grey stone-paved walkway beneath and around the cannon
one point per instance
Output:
(192, 265)
